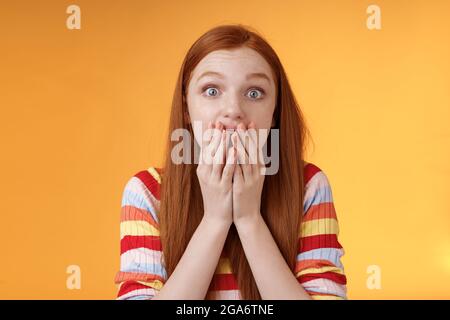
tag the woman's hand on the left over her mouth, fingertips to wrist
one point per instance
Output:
(215, 173)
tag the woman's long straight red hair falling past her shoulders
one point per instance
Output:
(181, 208)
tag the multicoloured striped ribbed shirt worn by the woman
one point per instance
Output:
(142, 274)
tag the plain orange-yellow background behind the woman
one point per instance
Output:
(83, 110)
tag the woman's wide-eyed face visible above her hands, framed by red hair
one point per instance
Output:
(231, 87)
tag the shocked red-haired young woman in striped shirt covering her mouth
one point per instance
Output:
(223, 229)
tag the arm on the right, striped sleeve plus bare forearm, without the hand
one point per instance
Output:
(319, 269)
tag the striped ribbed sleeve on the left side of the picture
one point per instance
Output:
(141, 273)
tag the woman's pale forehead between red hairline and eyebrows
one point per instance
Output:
(235, 62)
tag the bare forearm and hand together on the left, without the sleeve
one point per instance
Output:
(202, 254)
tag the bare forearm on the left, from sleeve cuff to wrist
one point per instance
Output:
(200, 258)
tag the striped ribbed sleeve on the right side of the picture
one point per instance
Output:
(319, 267)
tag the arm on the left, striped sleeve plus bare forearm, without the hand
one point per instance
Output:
(142, 274)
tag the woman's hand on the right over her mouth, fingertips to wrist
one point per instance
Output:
(248, 178)
